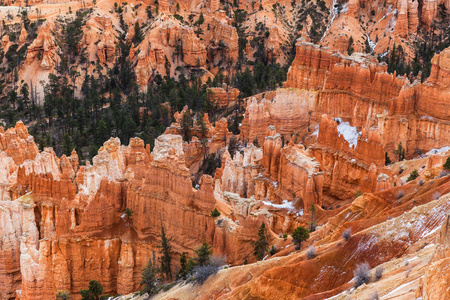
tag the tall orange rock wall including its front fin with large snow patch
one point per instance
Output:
(352, 107)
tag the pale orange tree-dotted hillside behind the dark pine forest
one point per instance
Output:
(185, 37)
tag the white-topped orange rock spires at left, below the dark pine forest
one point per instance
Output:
(64, 224)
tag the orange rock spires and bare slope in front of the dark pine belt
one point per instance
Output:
(63, 224)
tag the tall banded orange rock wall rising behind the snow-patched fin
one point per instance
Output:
(358, 90)
